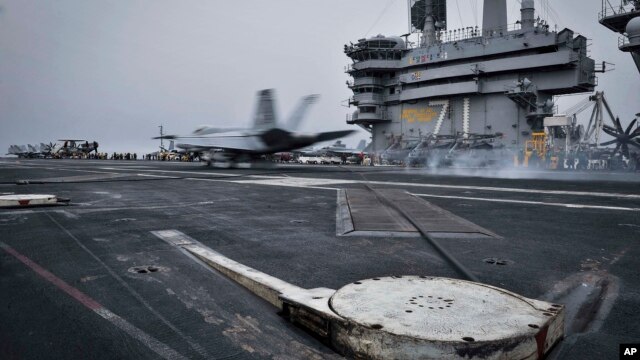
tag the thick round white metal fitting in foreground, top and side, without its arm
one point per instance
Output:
(427, 317)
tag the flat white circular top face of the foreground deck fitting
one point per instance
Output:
(439, 309)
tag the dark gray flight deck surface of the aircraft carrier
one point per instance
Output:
(571, 238)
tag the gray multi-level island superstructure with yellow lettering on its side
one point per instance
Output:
(499, 80)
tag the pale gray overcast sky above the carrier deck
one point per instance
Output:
(112, 71)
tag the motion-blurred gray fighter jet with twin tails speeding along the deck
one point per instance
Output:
(264, 138)
